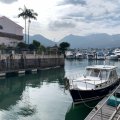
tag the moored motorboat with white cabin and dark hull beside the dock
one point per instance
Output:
(95, 84)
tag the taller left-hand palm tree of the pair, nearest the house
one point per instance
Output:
(24, 15)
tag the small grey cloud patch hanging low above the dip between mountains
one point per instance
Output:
(61, 24)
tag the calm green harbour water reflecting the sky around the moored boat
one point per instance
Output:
(42, 96)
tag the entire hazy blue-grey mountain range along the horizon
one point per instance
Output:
(101, 40)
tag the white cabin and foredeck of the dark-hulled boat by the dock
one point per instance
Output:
(95, 75)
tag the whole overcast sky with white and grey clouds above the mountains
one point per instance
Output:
(58, 18)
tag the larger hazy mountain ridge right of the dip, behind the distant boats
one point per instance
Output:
(93, 41)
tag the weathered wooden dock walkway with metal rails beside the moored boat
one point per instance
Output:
(104, 111)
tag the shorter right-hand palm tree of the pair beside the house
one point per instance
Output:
(31, 15)
